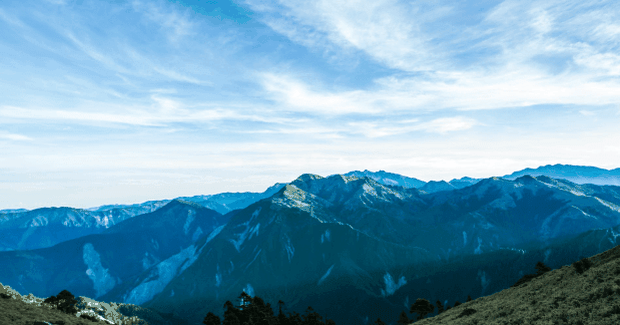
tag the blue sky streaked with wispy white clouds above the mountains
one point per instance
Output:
(117, 101)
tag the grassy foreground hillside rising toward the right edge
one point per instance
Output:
(568, 295)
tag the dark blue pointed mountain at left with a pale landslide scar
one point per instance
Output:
(94, 265)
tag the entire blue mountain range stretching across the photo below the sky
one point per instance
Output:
(354, 248)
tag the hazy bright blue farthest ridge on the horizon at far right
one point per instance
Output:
(575, 174)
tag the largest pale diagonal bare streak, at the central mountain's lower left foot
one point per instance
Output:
(159, 276)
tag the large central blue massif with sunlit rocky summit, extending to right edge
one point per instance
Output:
(320, 241)
